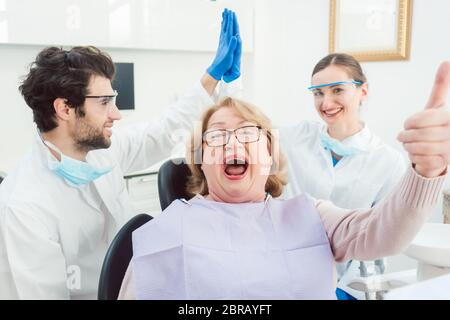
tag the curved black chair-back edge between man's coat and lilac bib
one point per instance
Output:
(118, 258)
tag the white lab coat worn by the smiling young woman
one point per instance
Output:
(357, 181)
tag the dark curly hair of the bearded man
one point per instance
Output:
(58, 73)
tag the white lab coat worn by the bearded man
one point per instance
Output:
(53, 235)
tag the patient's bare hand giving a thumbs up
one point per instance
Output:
(426, 137)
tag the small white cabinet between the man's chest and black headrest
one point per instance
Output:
(143, 191)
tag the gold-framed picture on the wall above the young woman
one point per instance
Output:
(371, 30)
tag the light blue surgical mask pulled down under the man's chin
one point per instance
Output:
(74, 171)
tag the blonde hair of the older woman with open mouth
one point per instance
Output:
(278, 176)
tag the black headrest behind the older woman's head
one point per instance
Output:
(172, 179)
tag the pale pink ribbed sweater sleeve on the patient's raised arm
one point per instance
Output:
(387, 228)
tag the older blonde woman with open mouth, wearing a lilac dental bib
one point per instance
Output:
(233, 240)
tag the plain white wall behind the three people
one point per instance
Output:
(290, 37)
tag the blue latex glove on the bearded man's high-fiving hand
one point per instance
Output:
(227, 45)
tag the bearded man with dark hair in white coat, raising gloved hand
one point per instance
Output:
(63, 204)
